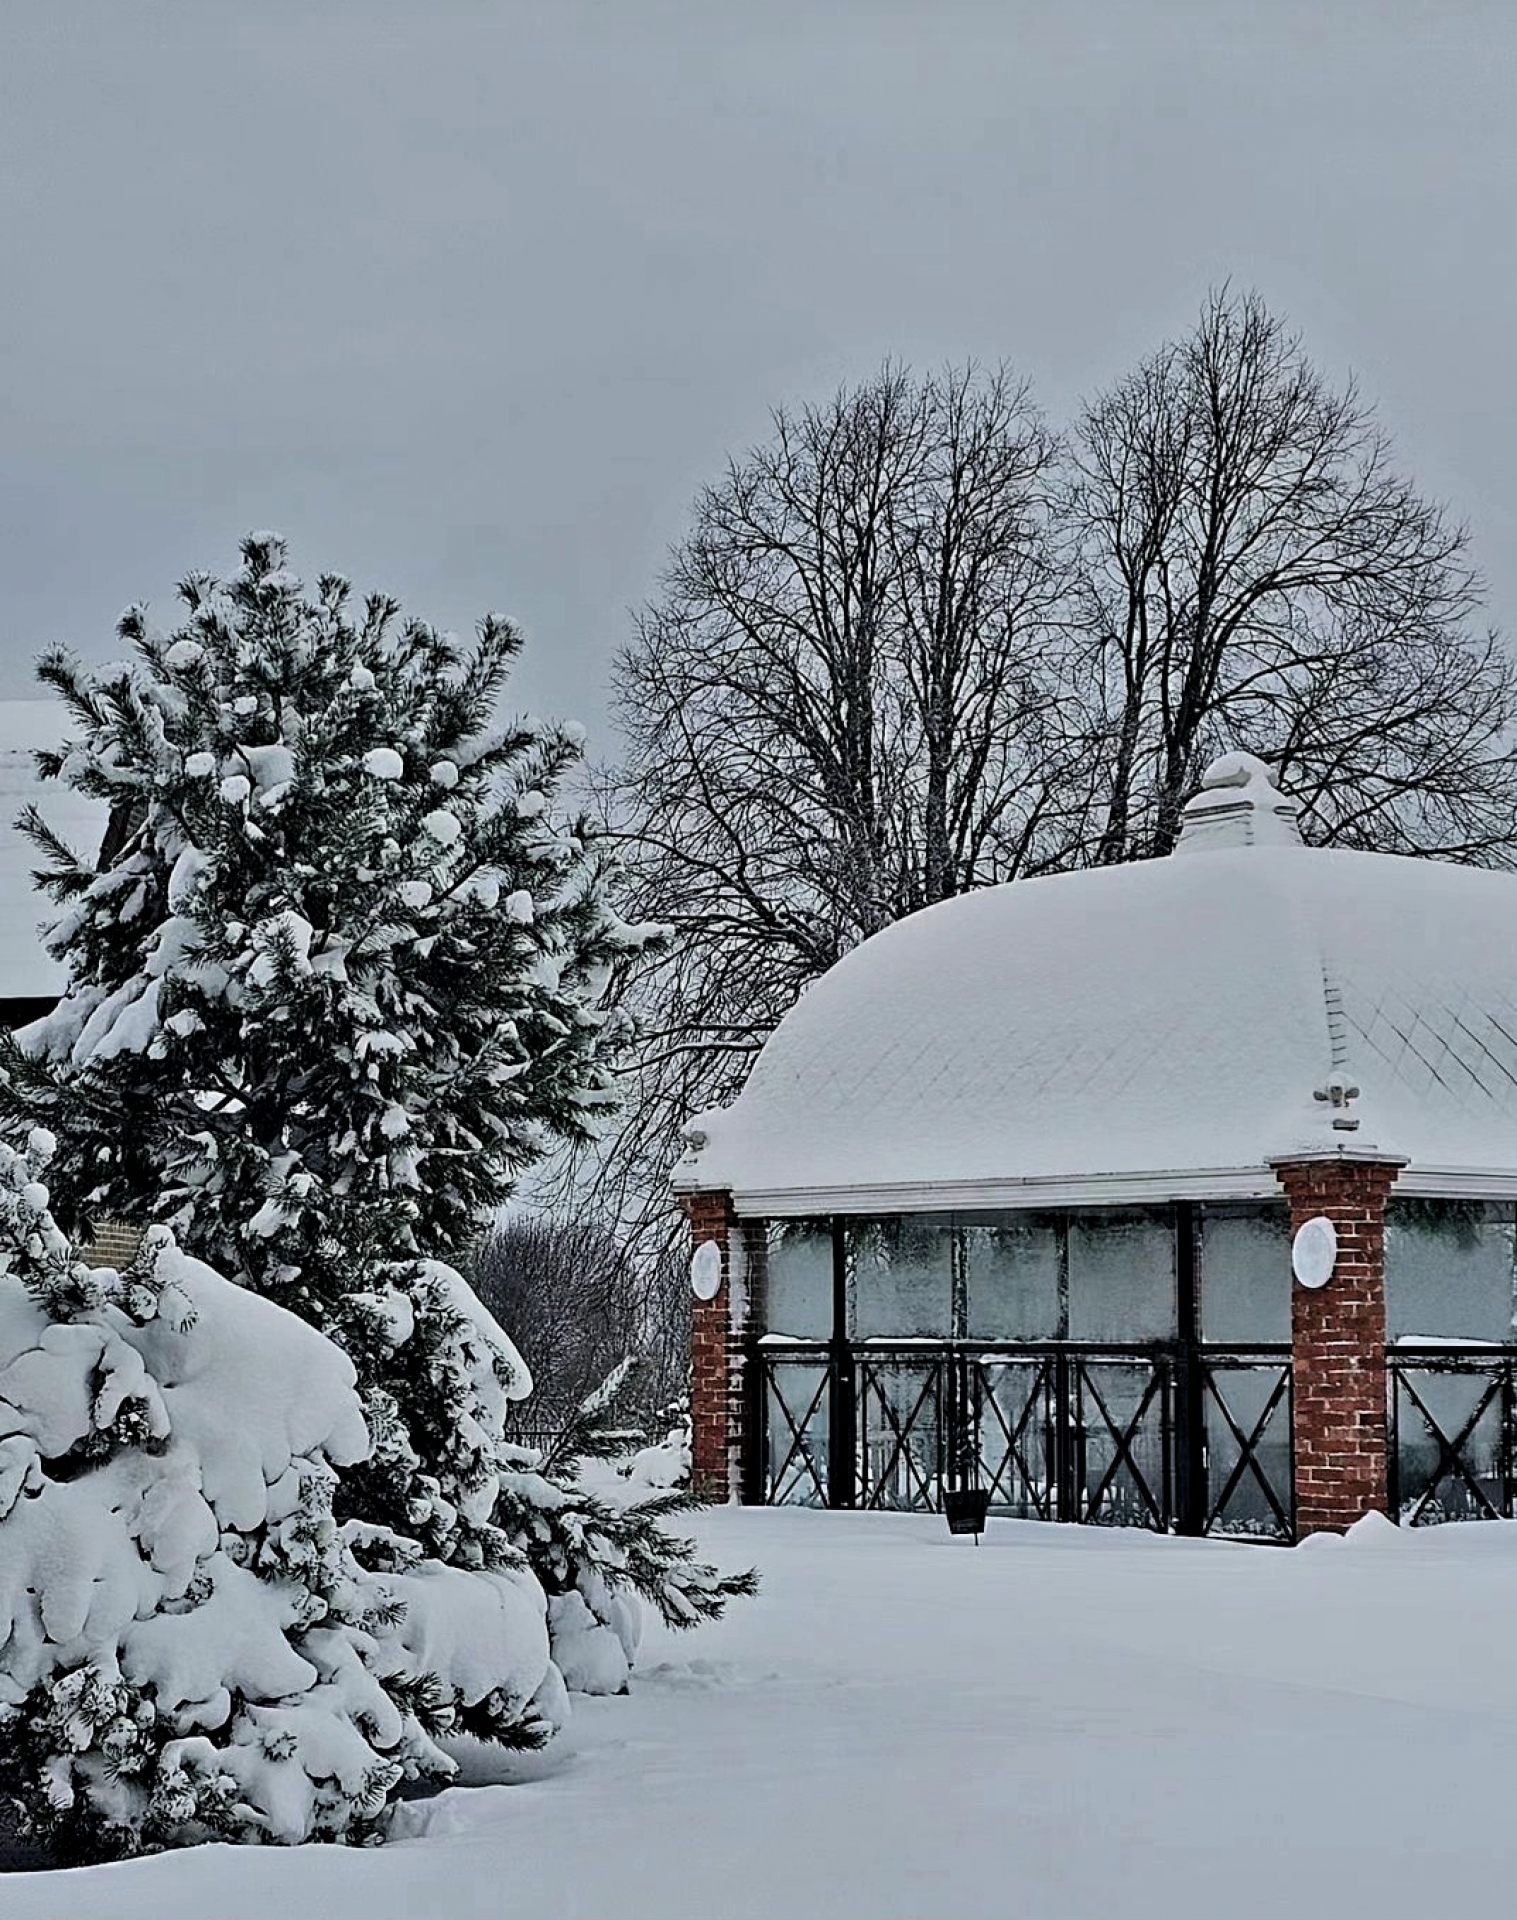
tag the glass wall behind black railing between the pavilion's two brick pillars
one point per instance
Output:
(1065, 1387)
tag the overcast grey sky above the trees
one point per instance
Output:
(470, 297)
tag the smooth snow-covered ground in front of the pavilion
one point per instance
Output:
(1059, 1723)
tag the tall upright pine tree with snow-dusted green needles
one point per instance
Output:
(333, 988)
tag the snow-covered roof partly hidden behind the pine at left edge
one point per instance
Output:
(26, 971)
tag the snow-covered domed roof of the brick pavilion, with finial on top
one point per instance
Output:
(1145, 1032)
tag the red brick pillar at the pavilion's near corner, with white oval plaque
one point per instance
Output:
(1337, 1341)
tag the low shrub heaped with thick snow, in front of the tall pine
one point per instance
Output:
(189, 1643)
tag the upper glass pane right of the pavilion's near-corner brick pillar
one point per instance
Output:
(1449, 1270)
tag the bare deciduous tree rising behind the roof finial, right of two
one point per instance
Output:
(1255, 571)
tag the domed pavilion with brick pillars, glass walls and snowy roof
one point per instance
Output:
(1011, 1197)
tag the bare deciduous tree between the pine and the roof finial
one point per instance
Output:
(844, 708)
